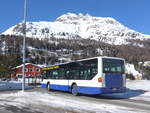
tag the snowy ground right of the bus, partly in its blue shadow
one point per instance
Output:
(136, 89)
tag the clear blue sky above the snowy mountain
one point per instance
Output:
(134, 14)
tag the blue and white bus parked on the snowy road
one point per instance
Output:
(96, 75)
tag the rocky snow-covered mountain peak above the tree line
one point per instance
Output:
(72, 25)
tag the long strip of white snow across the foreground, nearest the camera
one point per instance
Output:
(22, 99)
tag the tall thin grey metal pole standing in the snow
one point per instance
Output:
(24, 44)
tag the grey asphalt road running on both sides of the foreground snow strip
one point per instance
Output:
(136, 105)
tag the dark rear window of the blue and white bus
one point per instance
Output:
(113, 66)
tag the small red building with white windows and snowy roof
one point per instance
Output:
(31, 70)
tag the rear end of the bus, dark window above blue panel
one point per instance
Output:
(113, 74)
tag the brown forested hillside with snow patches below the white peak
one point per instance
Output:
(52, 50)
